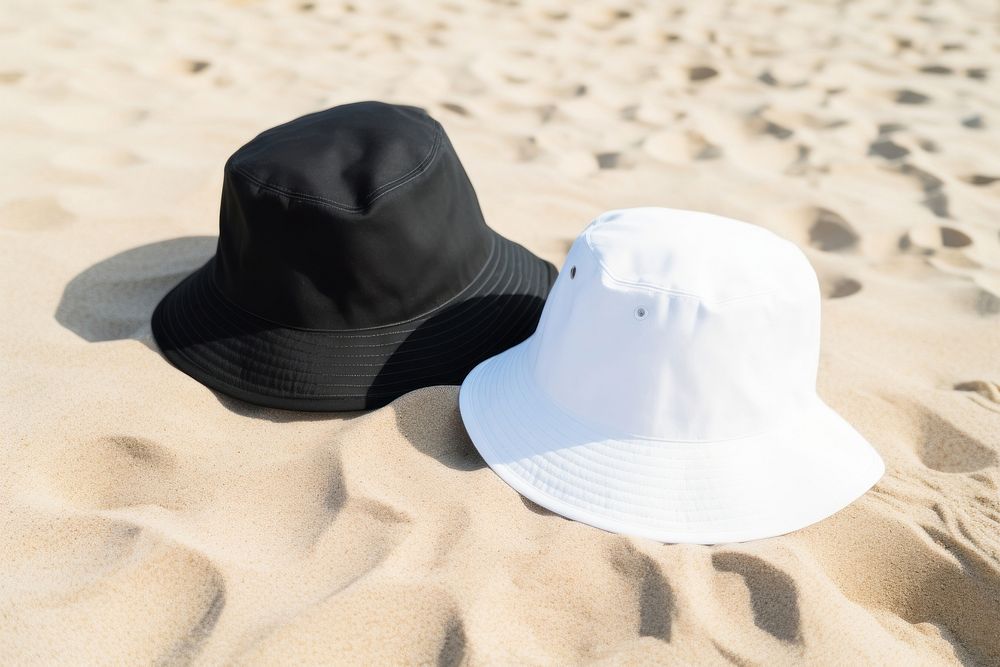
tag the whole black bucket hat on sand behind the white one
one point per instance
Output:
(353, 266)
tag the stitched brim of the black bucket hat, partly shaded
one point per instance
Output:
(230, 350)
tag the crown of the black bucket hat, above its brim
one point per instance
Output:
(357, 216)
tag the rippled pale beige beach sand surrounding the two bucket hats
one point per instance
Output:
(146, 519)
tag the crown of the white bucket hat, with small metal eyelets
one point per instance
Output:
(678, 325)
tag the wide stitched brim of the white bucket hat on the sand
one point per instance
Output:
(680, 492)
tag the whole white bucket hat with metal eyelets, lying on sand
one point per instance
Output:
(669, 391)
